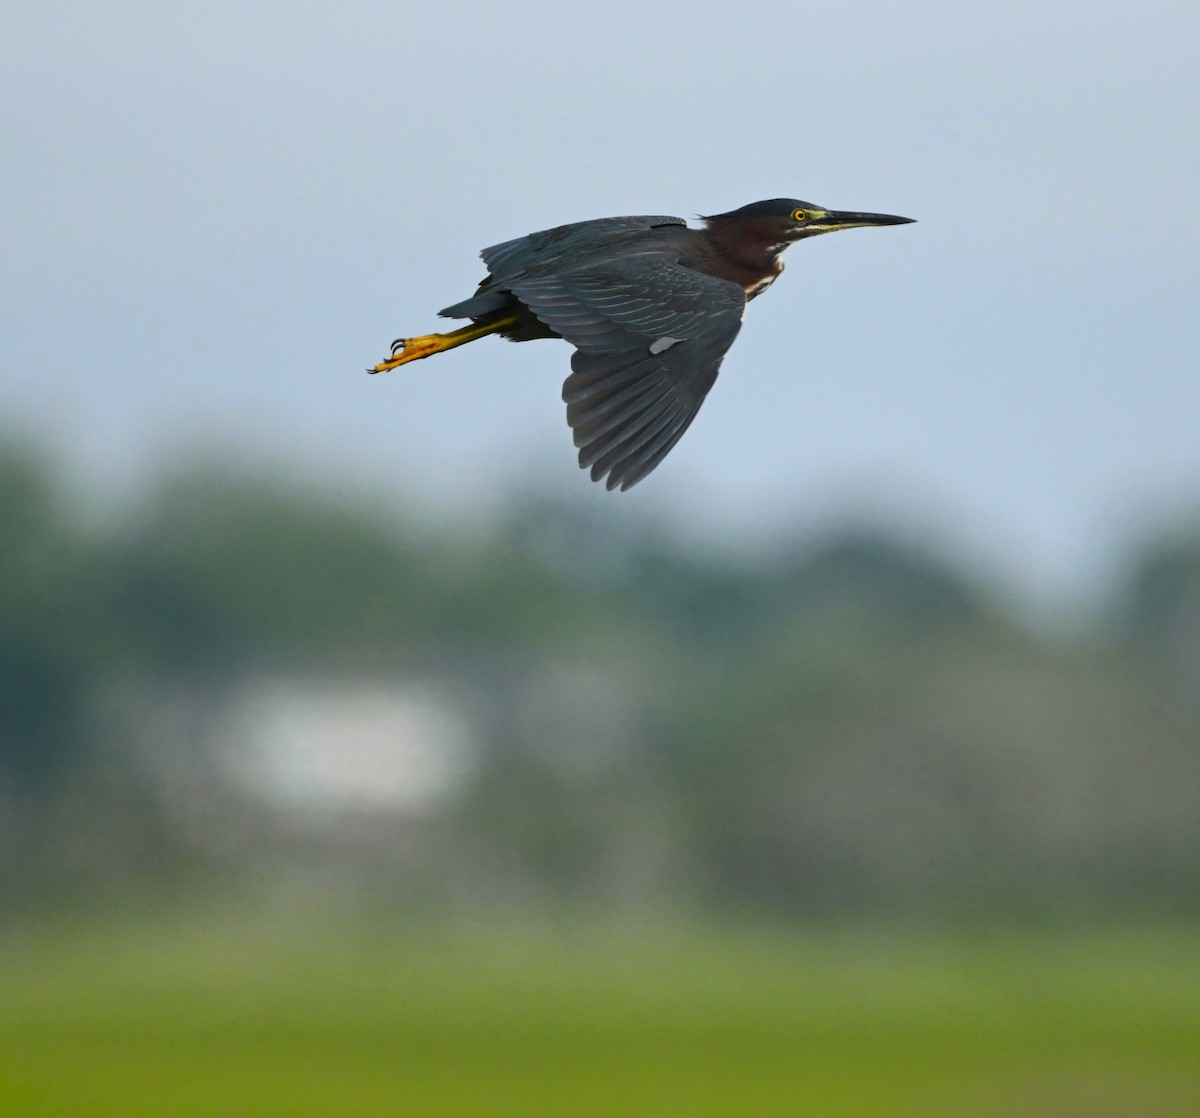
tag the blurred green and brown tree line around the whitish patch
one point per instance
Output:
(848, 725)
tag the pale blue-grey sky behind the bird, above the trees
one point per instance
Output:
(215, 219)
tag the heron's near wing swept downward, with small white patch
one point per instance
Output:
(650, 338)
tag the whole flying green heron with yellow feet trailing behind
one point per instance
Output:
(651, 308)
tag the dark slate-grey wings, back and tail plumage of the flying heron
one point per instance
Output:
(650, 332)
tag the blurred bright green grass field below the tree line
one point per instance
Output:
(167, 1025)
